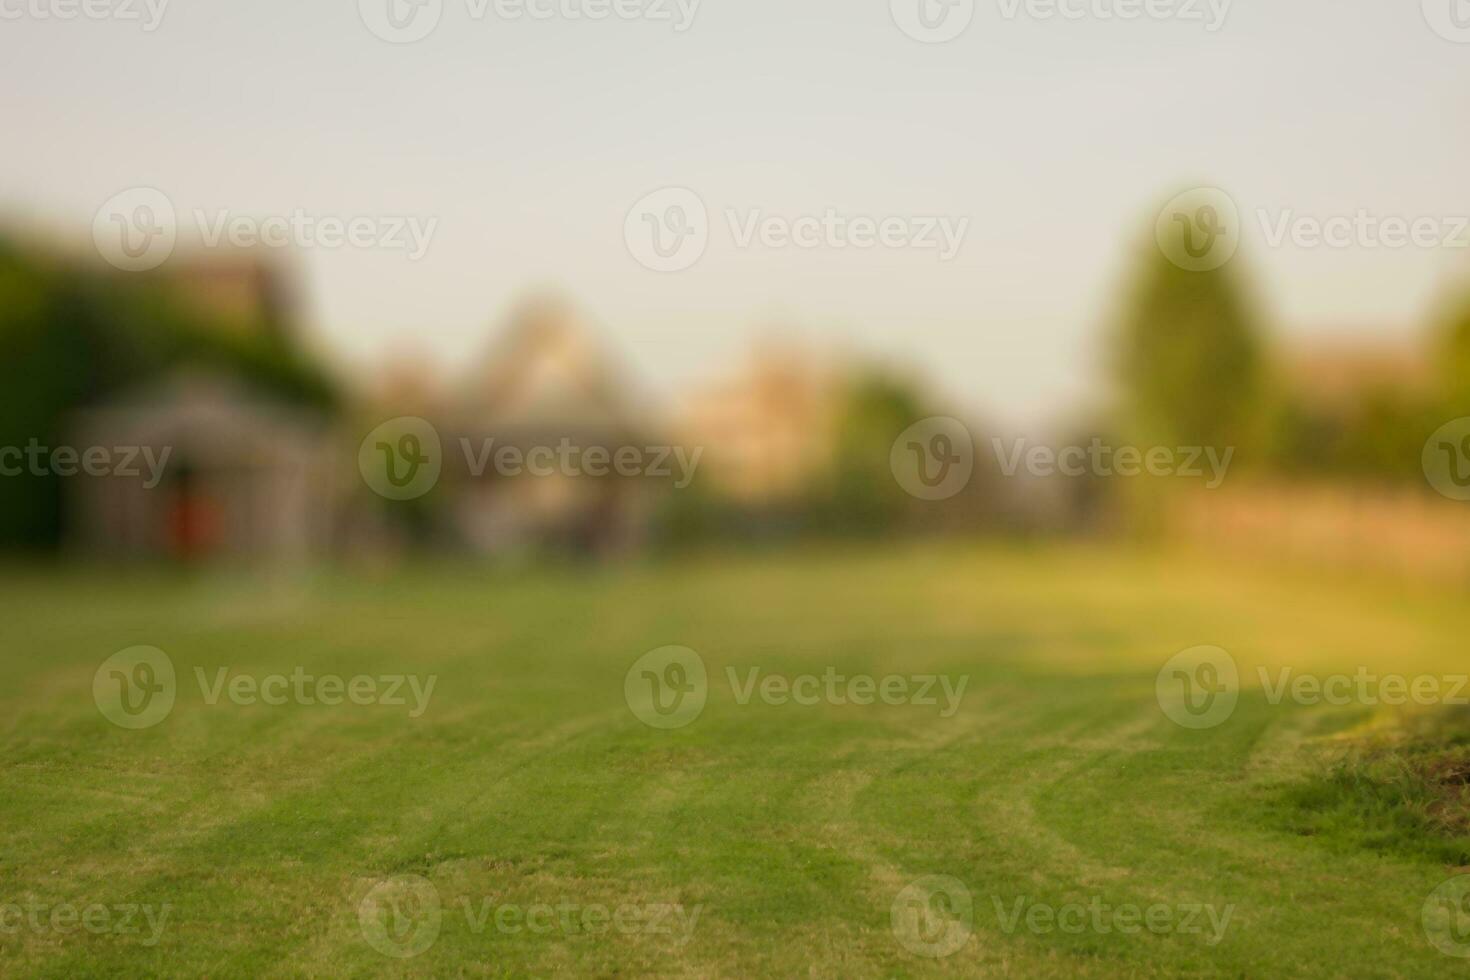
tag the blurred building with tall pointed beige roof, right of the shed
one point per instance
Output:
(546, 386)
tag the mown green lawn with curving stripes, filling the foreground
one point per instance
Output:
(790, 829)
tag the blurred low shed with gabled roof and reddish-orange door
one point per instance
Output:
(243, 477)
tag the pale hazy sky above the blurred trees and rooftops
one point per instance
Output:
(530, 140)
